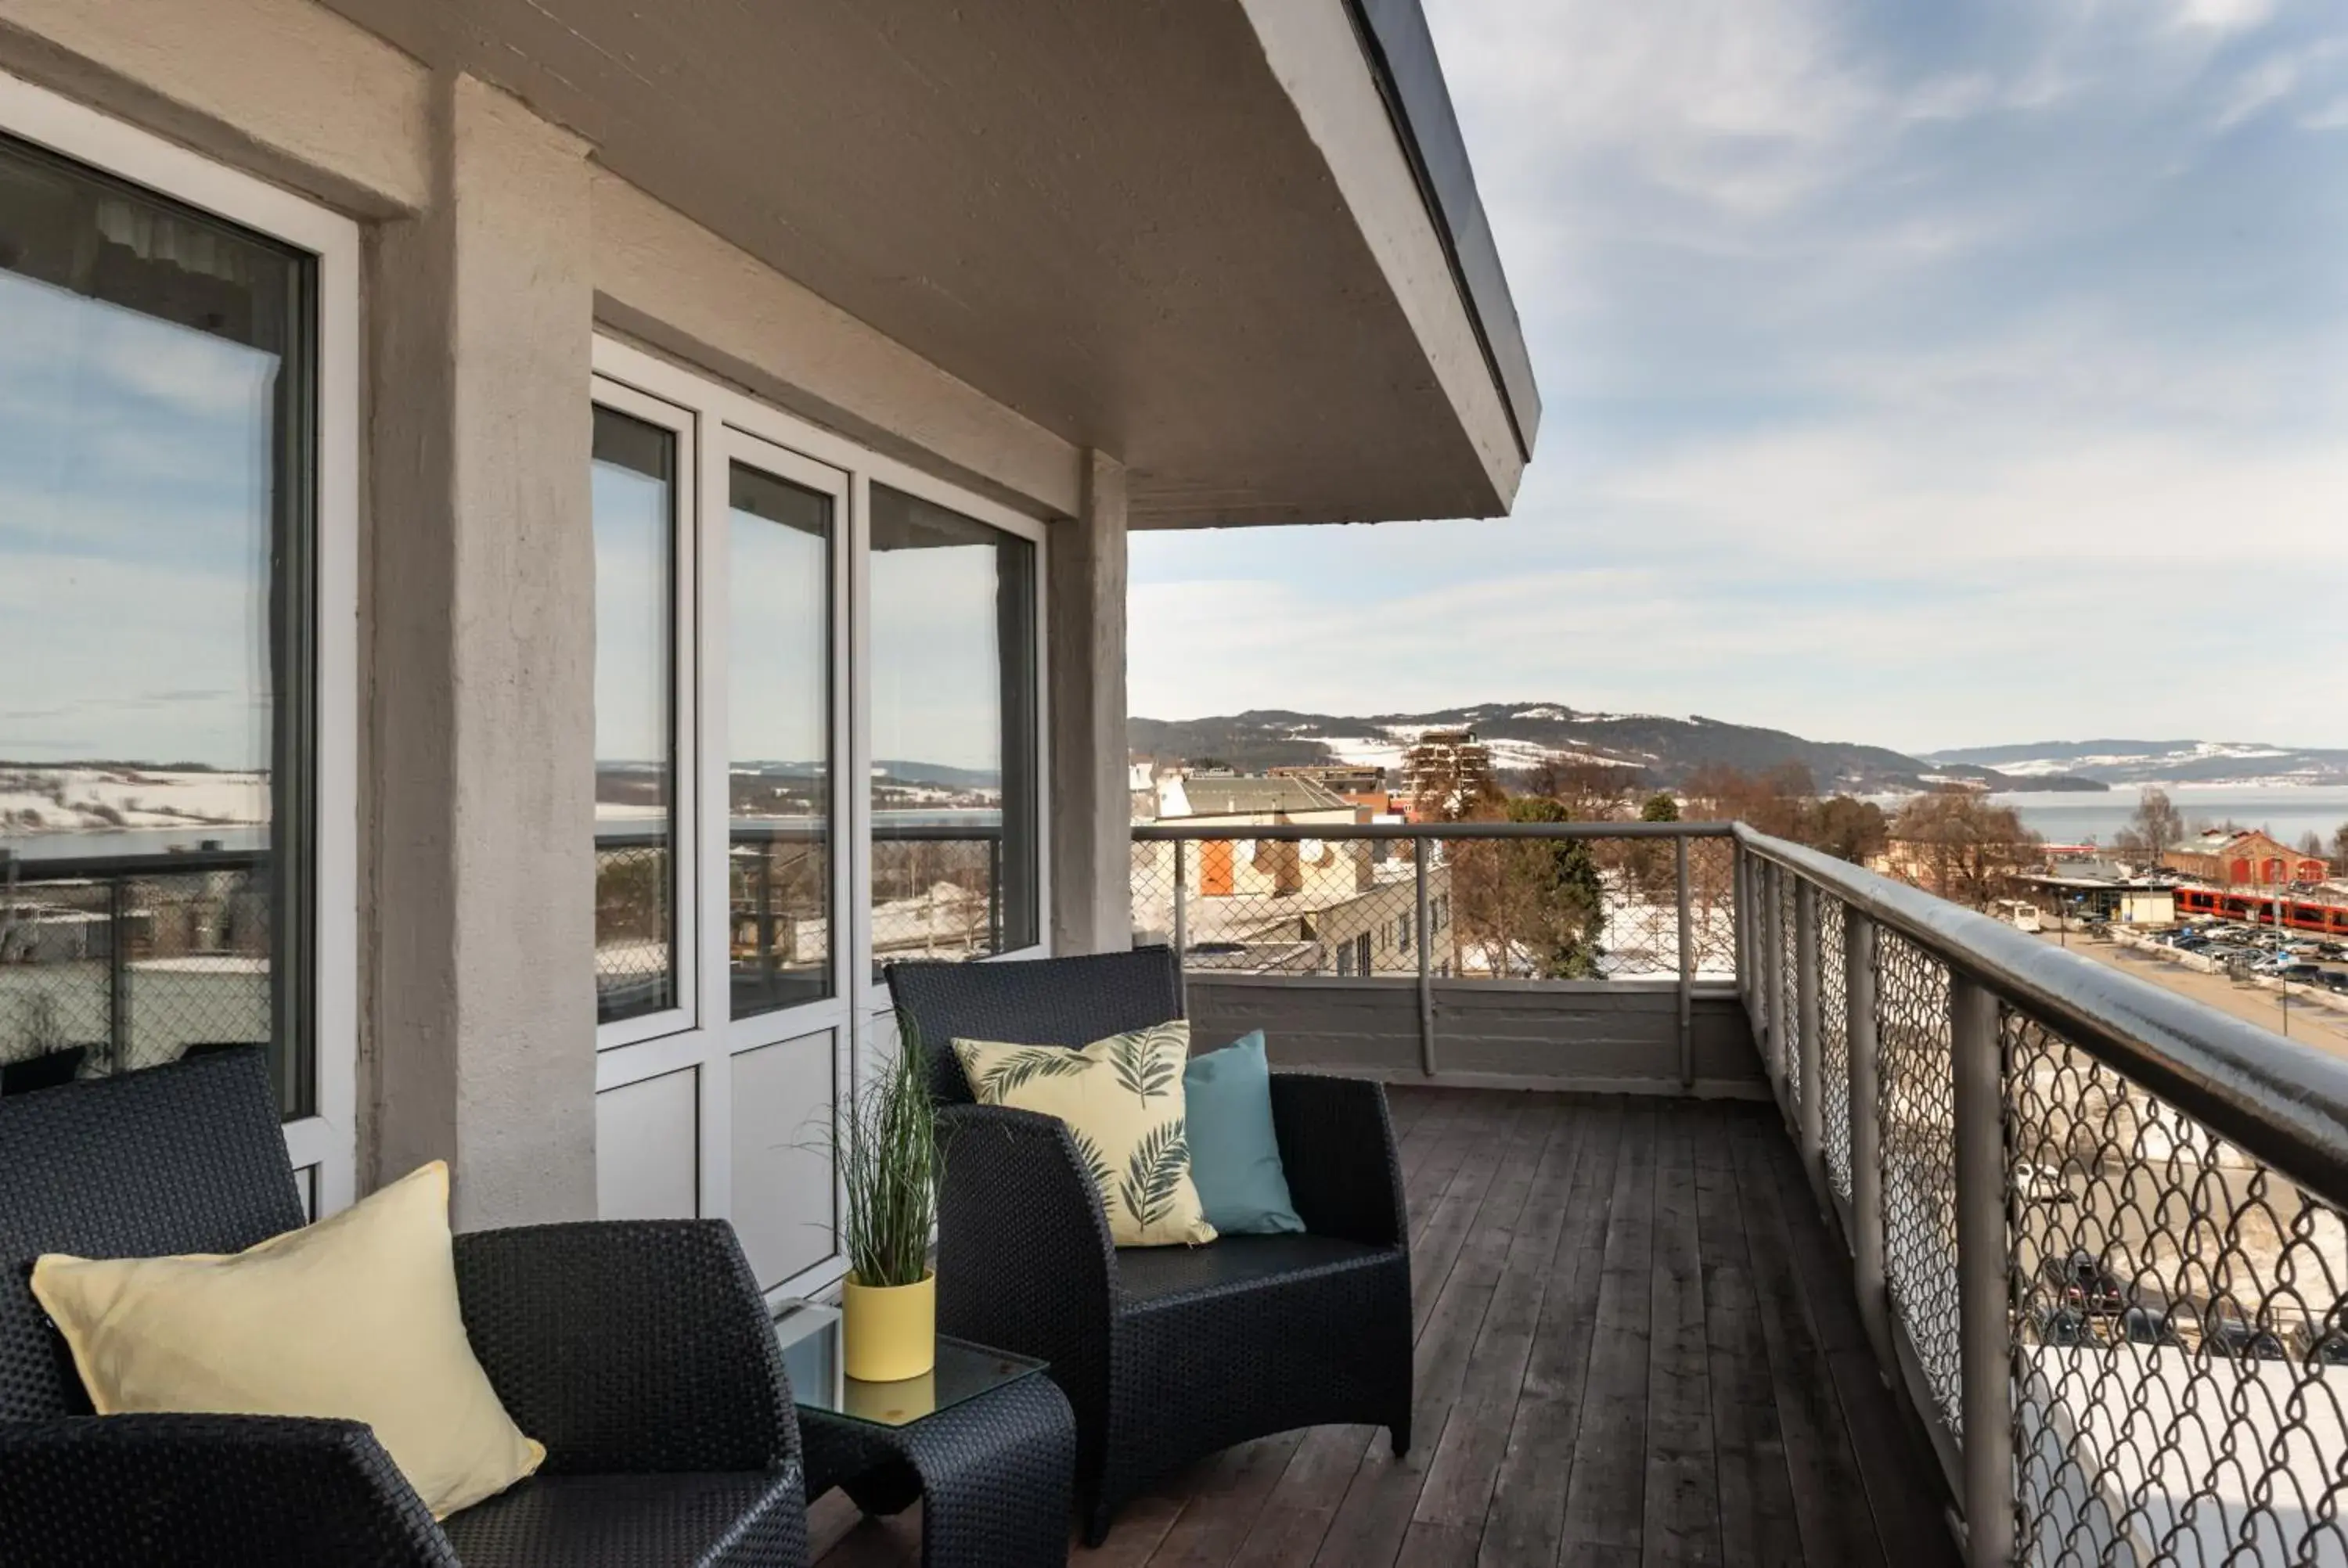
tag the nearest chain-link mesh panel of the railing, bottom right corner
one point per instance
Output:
(2180, 1332)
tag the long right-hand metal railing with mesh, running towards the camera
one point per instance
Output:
(2096, 1226)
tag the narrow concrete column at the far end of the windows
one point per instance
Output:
(1093, 905)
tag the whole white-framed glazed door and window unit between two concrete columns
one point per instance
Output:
(818, 715)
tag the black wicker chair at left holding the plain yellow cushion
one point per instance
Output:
(637, 1353)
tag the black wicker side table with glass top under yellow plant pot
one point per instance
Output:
(985, 1442)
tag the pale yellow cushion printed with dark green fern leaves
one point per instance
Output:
(1124, 1107)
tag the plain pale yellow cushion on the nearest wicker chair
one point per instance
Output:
(351, 1318)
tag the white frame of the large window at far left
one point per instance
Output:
(323, 1147)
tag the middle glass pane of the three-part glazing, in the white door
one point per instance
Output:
(778, 691)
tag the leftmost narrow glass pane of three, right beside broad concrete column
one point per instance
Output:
(635, 734)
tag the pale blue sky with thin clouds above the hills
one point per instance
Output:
(1929, 377)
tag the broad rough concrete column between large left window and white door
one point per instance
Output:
(480, 644)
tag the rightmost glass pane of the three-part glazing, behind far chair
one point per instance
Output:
(952, 734)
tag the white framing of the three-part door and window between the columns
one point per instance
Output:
(727, 426)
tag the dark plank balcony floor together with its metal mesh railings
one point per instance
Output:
(1826, 1222)
